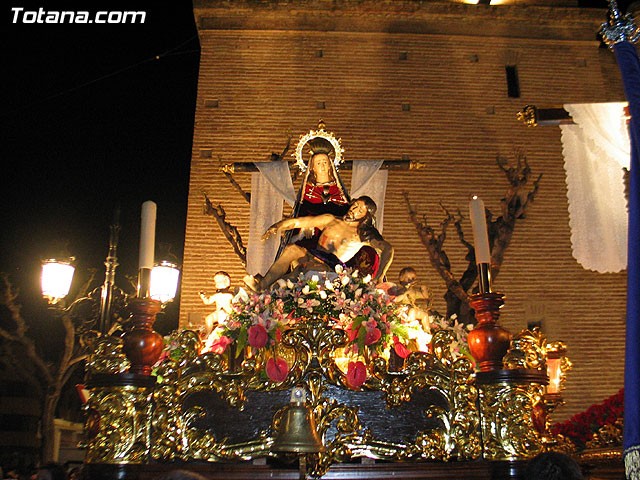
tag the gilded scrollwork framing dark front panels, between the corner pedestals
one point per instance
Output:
(310, 351)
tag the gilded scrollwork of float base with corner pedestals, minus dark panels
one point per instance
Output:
(135, 429)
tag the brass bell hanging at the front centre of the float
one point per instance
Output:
(297, 432)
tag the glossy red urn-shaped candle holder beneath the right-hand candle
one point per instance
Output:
(488, 342)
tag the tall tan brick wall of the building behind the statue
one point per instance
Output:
(266, 70)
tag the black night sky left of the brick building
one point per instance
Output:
(94, 116)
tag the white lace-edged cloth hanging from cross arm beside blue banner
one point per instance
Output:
(595, 150)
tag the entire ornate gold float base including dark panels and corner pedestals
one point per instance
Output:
(204, 409)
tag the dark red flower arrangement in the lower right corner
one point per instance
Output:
(581, 427)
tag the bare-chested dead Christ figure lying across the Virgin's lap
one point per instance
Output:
(340, 239)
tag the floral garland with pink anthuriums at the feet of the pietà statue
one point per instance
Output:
(373, 321)
